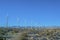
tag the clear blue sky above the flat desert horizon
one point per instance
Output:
(30, 12)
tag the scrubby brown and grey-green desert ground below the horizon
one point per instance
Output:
(30, 34)
